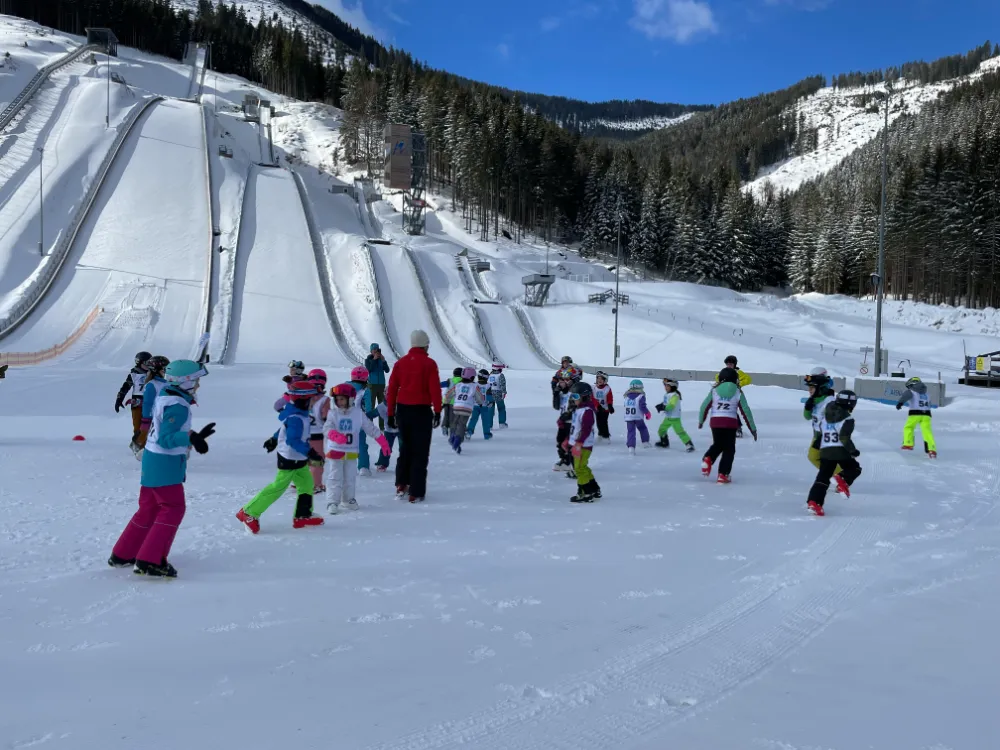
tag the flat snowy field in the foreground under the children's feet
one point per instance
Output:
(672, 613)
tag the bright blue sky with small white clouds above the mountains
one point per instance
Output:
(686, 51)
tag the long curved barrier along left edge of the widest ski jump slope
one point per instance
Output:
(53, 262)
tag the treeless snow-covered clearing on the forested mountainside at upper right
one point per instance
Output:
(847, 121)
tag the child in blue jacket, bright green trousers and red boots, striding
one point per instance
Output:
(294, 454)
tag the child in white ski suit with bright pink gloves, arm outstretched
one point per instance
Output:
(342, 432)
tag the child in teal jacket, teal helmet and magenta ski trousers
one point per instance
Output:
(149, 535)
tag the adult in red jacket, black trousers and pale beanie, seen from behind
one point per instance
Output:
(413, 404)
